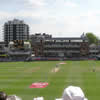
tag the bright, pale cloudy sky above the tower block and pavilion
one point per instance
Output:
(58, 17)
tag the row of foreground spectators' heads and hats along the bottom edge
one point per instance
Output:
(70, 93)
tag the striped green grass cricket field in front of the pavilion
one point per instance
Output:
(16, 77)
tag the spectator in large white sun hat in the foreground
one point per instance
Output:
(73, 93)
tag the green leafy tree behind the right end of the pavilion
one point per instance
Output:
(92, 38)
